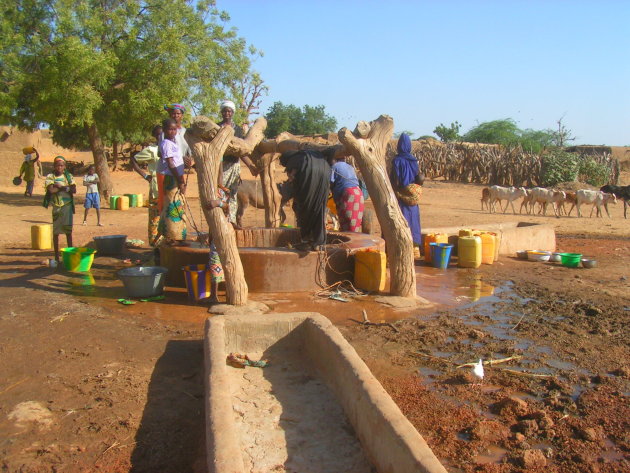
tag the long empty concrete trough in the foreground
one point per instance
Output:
(316, 407)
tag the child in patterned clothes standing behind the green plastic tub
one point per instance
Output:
(60, 187)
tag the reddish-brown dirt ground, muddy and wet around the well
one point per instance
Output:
(87, 384)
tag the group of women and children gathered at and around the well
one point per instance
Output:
(316, 179)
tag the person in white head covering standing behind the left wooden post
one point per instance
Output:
(231, 175)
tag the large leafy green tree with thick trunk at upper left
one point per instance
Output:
(105, 68)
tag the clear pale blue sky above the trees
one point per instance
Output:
(431, 62)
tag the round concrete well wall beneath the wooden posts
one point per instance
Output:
(270, 266)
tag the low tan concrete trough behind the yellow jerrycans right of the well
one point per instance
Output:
(514, 236)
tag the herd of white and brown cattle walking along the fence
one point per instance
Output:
(490, 196)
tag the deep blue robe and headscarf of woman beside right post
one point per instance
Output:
(404, 172)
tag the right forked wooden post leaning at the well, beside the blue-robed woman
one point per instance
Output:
(368, 145)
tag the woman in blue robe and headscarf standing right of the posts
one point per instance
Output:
(405, 172)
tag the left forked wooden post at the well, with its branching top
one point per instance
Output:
(208, 142)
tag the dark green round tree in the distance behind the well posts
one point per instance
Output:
(305, 121)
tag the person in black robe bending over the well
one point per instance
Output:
(310, 173)
